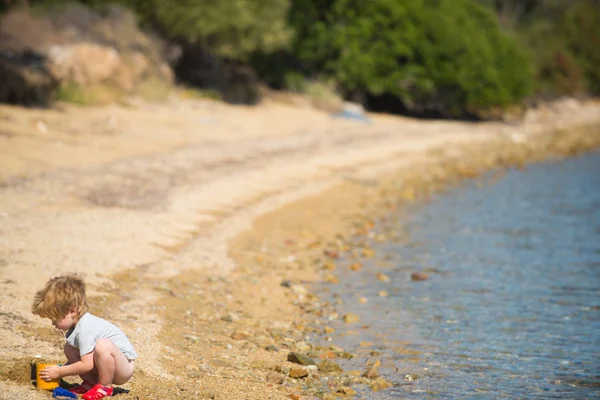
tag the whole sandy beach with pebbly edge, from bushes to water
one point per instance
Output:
(185, 218)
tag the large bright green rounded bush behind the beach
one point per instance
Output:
(444, 55)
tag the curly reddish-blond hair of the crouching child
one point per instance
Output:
(58, 296)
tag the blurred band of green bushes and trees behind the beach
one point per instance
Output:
(450, 58)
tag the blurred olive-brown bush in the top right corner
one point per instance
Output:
(563, 40)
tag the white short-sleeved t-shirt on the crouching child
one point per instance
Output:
(90, 329)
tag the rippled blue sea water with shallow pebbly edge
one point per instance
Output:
(511, 308)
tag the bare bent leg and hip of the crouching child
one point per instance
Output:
(111, 364)
